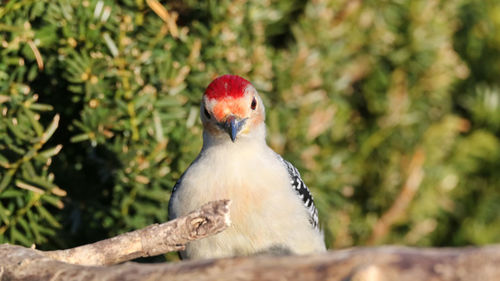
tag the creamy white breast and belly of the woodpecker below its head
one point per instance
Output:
(265, 211)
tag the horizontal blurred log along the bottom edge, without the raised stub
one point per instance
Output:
(359, 264)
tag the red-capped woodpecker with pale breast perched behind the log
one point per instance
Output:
(272, 210)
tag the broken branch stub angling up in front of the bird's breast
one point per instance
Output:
(153, 240)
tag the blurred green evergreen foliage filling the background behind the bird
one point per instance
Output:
(390, 110)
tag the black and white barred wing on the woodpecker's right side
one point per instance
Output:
(302, 191)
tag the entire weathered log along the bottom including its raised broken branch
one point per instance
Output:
(386, 263)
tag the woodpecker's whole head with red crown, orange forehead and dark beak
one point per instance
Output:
(231, 108)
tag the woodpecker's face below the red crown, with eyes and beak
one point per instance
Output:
(233, 117)
